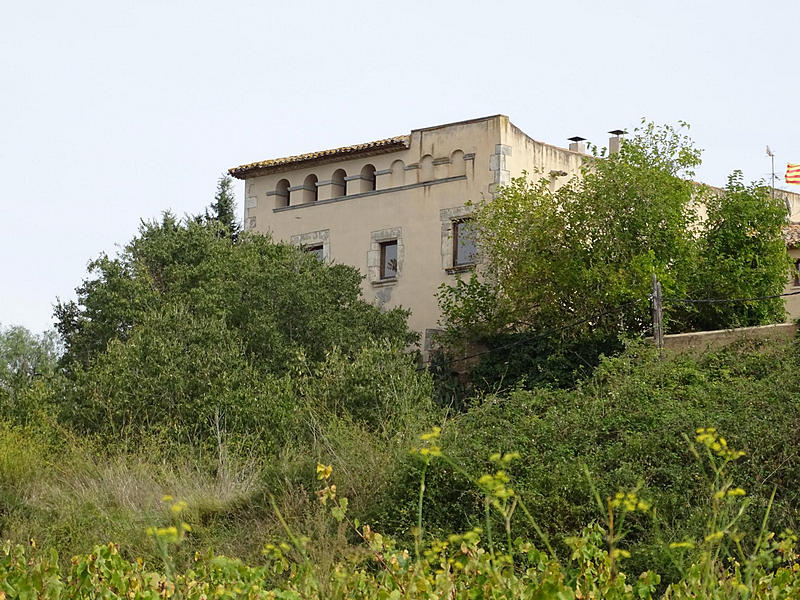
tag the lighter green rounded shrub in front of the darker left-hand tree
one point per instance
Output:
(181, 373)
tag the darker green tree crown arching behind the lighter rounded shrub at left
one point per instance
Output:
(286, 306)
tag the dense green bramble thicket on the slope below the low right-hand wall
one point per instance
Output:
(625, 424)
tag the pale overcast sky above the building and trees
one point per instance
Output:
(112, 112)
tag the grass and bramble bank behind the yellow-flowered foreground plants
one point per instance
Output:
(625, 425)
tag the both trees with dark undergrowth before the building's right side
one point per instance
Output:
(565, 271)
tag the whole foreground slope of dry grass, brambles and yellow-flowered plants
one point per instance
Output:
(650, 509)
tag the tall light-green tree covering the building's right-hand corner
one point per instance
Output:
(581, 257)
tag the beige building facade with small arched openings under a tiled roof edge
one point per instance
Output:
(398, 209)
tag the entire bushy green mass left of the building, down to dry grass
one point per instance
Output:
(186, 333)
